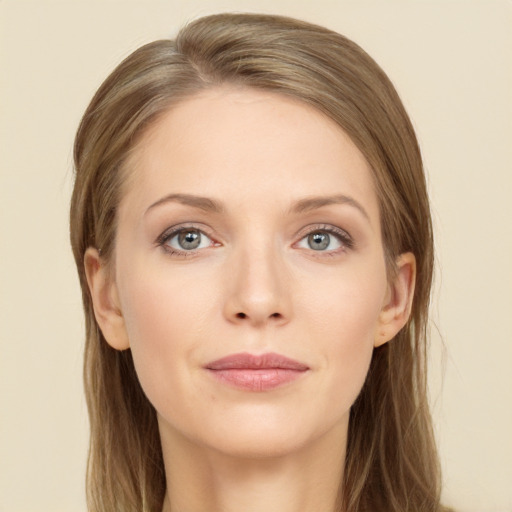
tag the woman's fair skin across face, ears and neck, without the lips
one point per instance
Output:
(254, 285)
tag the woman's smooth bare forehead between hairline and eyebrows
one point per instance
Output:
(247, 146)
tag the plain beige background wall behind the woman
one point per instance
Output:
(451, 62)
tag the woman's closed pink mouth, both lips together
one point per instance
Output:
(256, 373)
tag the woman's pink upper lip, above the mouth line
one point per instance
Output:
(245, 361)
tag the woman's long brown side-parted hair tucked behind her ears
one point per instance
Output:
(391, 462)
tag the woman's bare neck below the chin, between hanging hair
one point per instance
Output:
(200, 478)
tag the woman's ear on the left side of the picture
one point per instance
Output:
(105, 299)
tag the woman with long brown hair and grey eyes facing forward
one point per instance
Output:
(252, 233)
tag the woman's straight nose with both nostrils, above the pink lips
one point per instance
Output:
(258, 289)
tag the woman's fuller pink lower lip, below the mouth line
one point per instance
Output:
(261, 379)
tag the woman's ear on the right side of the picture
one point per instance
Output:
(398, 302)
